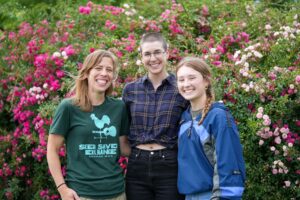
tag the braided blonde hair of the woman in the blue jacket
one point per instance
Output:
(204, 69)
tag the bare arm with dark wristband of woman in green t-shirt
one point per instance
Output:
(55, 142)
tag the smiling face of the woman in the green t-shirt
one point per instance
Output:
(100, 77)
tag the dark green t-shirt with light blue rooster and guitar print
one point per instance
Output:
(92, 146)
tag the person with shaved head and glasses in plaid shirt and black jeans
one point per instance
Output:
(155, 107)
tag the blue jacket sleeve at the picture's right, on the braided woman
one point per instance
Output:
(229, 169)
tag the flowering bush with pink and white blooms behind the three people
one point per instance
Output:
(252, 47)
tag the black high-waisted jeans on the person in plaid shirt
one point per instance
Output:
(152, 175)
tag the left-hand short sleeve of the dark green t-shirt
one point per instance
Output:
(61, 120)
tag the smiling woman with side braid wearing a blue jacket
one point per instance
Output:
(210, 157)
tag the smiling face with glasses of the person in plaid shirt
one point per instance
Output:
(154, 57)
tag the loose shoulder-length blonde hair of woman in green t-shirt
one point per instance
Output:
(80, 88)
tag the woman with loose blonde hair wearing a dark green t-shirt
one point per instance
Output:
(93, 127)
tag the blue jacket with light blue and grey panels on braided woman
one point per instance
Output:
(210, 156)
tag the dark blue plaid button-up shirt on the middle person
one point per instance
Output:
(154, 114)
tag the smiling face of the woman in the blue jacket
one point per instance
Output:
(191, 84)
